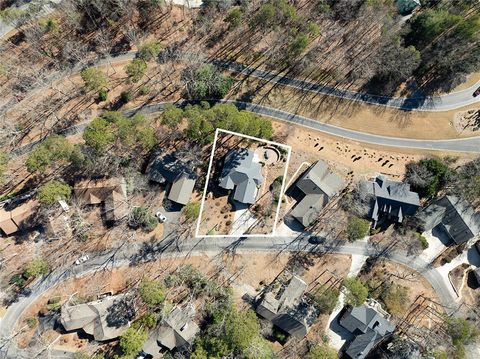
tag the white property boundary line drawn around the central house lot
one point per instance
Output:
(277, 213)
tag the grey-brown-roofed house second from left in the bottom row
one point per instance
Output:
(177, 330)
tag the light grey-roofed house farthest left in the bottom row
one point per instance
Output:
(92, 318)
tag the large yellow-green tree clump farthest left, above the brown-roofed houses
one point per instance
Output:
(54, 150)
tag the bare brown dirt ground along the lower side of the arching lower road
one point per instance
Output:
(244, 272)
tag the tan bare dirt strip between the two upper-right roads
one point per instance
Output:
(353, 115)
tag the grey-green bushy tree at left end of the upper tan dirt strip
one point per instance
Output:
(207, 82)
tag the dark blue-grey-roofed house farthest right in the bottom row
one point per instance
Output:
(369, 325)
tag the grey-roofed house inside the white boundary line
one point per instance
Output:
(243, 174)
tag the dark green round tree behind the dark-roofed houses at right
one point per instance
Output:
(428, 176)
